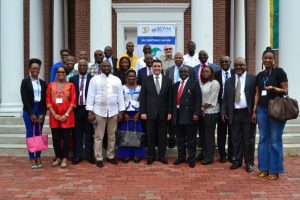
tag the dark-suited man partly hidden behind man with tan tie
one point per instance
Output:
(223, 128)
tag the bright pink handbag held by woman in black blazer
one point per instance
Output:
(37, 143)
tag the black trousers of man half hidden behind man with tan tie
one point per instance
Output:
(222, 131)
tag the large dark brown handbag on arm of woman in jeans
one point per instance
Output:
(283, 108)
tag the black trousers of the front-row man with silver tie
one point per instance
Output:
(156, 129)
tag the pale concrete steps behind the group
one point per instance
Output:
(12, 138)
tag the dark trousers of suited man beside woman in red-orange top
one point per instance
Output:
(83, 132)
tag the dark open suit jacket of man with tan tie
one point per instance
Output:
(229, 95)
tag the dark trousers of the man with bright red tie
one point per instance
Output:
(186, 141)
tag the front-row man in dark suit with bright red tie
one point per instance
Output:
(186, 106)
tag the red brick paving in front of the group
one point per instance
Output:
(140, 181)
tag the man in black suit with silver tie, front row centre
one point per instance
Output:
(155, 108)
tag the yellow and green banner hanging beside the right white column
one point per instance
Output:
(274, 23)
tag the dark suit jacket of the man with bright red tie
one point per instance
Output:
(190, 102)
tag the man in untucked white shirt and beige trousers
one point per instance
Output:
(105, 103)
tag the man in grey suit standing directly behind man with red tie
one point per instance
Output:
(173, 74)
